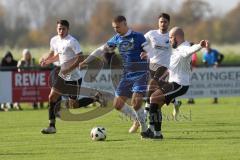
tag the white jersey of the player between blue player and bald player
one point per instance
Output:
(161, 48)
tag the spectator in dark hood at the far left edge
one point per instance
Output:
(8, 63)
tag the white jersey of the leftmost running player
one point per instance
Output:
(67, 49)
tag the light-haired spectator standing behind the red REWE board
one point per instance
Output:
(28, 63)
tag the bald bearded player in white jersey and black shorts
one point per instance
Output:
(179, 77)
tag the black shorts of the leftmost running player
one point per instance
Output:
(67, 88)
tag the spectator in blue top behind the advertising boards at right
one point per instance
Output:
(212, 58)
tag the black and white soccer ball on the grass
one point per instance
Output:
(98, 134)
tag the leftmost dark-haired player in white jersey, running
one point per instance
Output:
(65, 49)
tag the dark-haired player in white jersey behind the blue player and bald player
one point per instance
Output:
(159, 51)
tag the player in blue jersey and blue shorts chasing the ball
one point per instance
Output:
(133, 83)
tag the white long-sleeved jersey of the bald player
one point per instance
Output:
(180, 67)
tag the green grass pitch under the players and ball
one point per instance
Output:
(204, 131)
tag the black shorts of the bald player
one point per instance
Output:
(172, 90)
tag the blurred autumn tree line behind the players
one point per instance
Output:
(27, 23)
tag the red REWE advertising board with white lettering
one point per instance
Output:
(30, 86)
